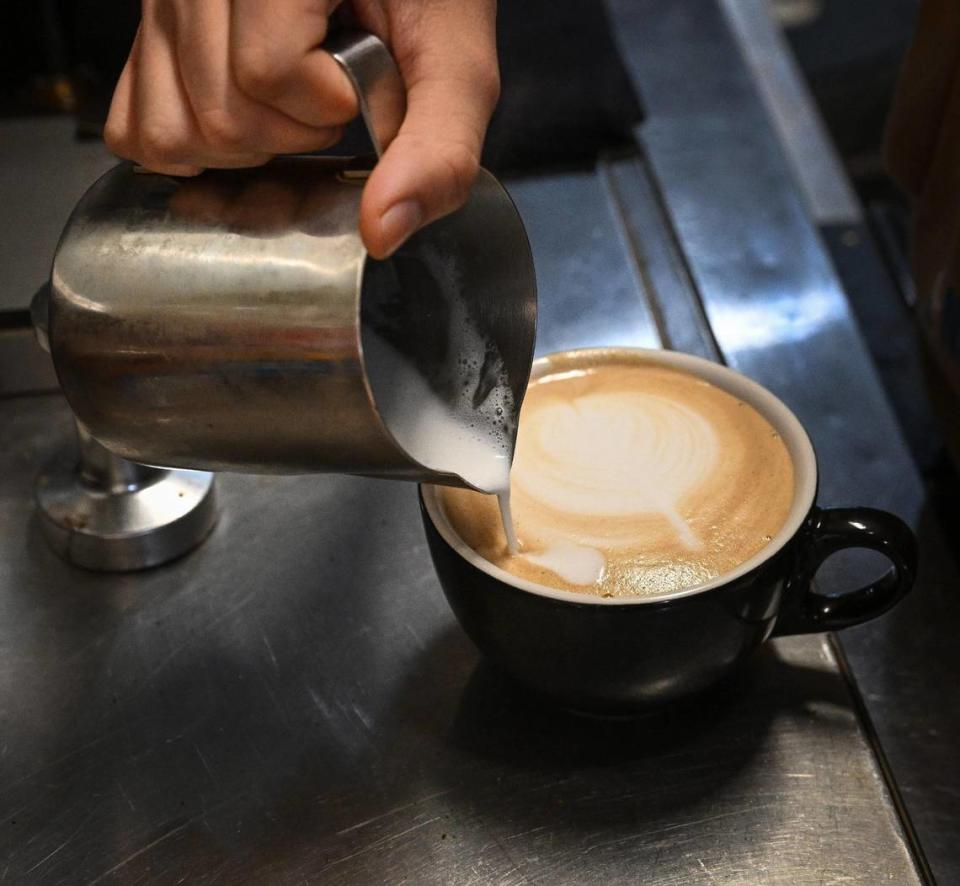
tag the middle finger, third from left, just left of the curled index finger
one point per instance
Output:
(229, 120)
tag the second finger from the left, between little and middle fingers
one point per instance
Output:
(169, 138)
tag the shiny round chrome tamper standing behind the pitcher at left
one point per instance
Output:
(102, 512)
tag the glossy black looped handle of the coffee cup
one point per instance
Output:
(835, 529)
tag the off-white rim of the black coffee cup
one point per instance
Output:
(760, 398)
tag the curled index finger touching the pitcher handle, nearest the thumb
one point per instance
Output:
(276, 61)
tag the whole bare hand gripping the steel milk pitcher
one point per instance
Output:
(232, 83)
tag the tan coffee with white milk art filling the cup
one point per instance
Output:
(632, 479)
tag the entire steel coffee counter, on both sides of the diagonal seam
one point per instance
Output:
(293, 702)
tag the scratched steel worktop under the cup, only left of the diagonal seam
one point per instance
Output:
(294, 702)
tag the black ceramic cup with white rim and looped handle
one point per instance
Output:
(620, 655)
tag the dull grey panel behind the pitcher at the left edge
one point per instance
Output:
(44, 170)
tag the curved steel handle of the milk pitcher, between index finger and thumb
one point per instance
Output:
(377, 82)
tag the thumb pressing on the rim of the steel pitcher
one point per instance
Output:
(430, 166)
